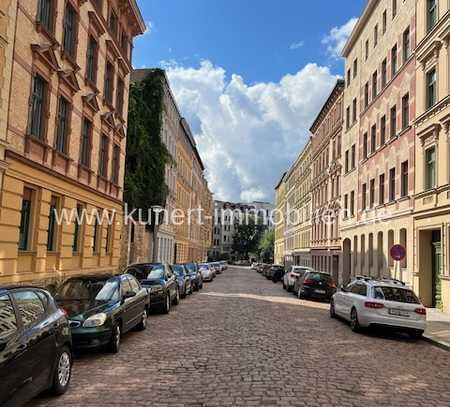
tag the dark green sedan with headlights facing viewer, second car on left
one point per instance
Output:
(101, 308)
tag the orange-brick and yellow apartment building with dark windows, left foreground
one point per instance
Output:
(68, 74)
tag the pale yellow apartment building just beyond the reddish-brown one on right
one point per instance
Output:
(297, 232)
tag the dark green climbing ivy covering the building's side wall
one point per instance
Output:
(147, 155)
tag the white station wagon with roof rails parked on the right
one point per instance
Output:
(366, 302)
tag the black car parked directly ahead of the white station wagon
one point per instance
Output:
(316, 285)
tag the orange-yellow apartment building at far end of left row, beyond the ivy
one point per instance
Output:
(194, 234)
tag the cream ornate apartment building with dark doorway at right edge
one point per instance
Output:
(432, 151)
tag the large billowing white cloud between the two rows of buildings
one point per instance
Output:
(248, 135)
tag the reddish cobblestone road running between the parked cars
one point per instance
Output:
(243, 341)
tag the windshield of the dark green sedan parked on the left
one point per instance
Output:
(88, 290)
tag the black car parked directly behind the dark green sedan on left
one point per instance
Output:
(160, 282)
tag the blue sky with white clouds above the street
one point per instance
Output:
(249, 76)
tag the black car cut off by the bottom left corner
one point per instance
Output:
(35, 345)
